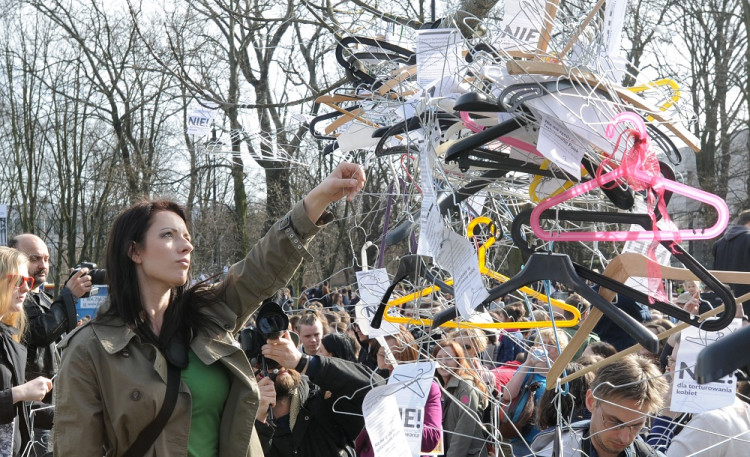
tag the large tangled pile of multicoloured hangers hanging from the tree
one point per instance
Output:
(483, 124)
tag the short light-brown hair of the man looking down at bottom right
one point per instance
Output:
(632, 377)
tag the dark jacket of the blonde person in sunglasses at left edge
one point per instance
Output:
(12, 364)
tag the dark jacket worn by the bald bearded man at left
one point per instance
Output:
(48, 321)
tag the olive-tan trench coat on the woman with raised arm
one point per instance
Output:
(111, 385)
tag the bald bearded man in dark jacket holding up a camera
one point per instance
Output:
(48, 320)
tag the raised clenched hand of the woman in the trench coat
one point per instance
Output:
(345, 181)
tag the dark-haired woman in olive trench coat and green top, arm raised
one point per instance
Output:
(154, 329)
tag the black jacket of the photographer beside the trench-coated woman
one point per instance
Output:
(322, 427)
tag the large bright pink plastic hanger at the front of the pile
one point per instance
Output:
(635, 171)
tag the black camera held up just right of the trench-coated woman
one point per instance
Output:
(270, 323)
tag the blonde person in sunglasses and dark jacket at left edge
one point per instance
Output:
(16, 394)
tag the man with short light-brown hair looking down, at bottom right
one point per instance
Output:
(621, 397)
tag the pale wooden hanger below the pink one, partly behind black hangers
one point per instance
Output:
(622, 267)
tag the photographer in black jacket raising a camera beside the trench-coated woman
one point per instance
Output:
(315, 418)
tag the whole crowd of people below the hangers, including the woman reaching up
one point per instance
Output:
(159, 371)
